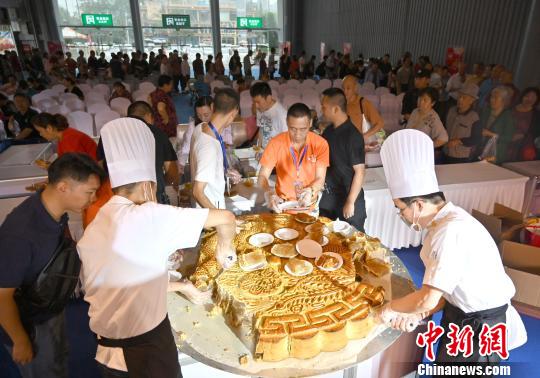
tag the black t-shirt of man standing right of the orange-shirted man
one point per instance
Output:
(346, 150)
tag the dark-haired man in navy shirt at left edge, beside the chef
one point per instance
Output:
(28, 240)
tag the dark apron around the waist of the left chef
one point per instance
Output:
(150, 355)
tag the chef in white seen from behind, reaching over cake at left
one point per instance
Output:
(124, 254)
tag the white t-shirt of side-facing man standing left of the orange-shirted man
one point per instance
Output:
(206, 161)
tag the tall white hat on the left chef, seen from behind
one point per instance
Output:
(130, 150)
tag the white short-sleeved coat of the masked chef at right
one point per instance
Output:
(463, 261)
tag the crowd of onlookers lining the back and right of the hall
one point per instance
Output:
(496, 121)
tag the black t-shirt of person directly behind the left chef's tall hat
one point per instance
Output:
(164, 152)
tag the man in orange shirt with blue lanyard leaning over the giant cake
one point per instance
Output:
(300, 158)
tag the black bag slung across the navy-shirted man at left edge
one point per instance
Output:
(50, 292)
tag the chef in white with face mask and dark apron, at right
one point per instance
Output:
(464, 274)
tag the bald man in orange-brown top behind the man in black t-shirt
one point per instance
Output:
(358, 106)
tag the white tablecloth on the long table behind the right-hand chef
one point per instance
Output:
(471, 186)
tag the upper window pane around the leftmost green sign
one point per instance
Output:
(68, 12)
